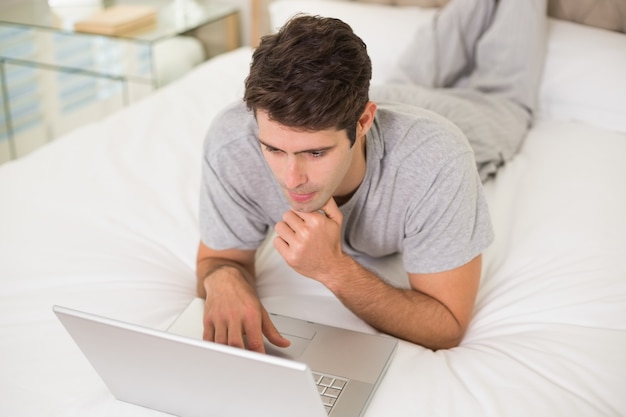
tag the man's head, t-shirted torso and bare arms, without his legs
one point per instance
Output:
(334, 175)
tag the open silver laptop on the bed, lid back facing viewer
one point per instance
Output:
(327, 371)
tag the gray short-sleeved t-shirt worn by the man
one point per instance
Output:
(421, 195)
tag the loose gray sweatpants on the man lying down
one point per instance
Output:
(479, 64)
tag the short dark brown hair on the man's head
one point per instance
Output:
(313, 74)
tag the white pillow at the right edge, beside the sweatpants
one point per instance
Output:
(585, 76)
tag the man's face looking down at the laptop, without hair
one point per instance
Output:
(310, 167)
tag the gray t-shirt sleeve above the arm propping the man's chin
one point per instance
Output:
(449, 225)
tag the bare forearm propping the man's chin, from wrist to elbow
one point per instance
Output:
(405, 313)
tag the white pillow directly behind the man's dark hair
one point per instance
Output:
(386, 30)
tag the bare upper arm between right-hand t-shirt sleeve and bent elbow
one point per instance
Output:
(455, 289)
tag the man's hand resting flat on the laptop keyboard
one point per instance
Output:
(233, 310)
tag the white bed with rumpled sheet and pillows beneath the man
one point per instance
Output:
(105, 220)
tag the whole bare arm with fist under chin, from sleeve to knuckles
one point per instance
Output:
(434, 313)
